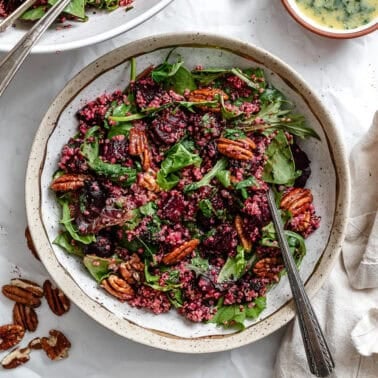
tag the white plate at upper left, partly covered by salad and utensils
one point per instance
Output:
(100, 26)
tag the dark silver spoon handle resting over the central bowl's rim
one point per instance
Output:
(318, 354)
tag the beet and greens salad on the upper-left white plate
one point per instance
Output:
(76, 10)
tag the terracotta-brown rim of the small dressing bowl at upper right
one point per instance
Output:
(297, 16)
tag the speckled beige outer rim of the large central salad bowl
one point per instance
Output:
(124, 327)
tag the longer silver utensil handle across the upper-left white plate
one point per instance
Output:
(13, 60)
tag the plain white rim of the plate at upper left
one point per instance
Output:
(101, 37)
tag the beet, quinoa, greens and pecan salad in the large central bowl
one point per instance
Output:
(163, 190)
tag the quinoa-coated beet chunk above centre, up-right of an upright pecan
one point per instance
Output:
(169, 126)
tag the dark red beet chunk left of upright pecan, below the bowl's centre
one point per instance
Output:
(223, 242)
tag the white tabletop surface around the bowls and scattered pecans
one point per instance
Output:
(343, 72)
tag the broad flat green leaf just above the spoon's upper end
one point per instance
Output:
(279, 167)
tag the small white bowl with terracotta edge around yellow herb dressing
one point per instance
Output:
(308, 23)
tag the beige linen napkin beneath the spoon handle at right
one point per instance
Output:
(347, 305)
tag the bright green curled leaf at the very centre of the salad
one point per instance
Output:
(178, 157)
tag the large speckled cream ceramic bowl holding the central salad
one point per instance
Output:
(329, 183)
